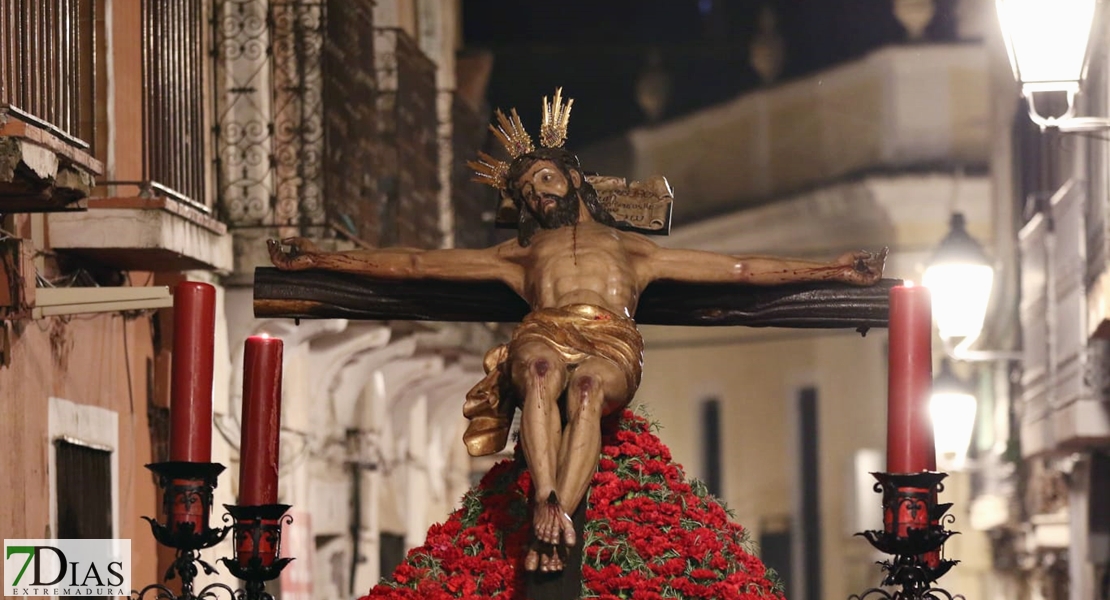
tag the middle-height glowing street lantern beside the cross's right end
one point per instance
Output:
(960, 279)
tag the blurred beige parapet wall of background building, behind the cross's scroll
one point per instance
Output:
(901, 109)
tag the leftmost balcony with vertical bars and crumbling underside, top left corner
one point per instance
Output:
(47, 106)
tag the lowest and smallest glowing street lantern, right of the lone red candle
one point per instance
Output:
(953, 409)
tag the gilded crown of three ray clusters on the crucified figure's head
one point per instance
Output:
(512, 135)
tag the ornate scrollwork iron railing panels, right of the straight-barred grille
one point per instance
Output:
(269, 127)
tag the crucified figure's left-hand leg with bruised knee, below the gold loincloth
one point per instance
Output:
(540, 375)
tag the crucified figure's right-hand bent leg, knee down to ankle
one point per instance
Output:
(597, 389)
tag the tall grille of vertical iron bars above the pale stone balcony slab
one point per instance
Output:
(174, 98)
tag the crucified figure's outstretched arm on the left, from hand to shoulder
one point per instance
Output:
(488, 265)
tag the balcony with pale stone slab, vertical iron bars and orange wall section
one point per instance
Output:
(155, 213)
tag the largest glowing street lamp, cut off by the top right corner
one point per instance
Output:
(1048, 44)
